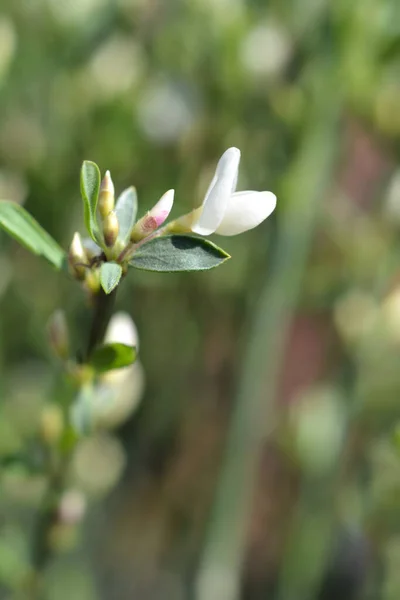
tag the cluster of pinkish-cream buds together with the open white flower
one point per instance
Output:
(224, 211)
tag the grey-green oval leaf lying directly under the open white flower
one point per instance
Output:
(178, 253)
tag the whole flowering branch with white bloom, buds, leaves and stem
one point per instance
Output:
(117, 241)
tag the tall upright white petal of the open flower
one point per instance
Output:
(217, 197)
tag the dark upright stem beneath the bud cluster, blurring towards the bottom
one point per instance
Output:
(41, 552)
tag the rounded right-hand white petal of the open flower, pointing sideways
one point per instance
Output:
(246, 210)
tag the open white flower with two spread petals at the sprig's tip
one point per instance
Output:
(225, 211)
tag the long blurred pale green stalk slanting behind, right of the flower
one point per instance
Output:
(219, 574)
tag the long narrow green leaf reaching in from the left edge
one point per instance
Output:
(23, 227)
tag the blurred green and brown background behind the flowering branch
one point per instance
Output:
(263, 459)
